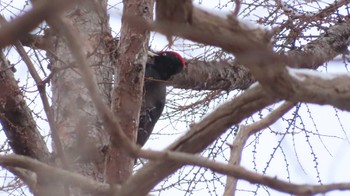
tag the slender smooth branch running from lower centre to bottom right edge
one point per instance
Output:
(242, 173)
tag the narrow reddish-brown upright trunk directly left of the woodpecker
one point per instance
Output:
(127, 94)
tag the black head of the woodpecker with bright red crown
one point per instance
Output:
(168, 63)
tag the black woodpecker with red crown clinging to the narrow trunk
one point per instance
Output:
(160, 68)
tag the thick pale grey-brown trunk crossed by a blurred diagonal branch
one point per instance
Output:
(78, 124)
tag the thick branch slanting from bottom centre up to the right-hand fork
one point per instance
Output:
(200, 136)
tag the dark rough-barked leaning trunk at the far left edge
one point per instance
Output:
(16, 118)
